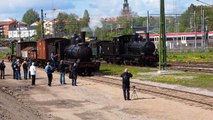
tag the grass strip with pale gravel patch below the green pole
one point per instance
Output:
(188, 79)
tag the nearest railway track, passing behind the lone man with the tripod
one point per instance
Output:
(195, 99)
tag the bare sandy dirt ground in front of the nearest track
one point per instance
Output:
(87, 101)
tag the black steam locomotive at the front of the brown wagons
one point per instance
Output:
(79, 52)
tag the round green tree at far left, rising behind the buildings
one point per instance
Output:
(30, 16)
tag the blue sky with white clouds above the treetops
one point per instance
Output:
(97, 8)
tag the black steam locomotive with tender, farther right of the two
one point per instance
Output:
(128, 50)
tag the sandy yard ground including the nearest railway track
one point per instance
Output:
(100, 97)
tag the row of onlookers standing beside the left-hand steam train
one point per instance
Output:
(29, 69)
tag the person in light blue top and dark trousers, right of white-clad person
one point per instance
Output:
(49, 70)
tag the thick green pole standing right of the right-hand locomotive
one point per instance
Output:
(162, 52)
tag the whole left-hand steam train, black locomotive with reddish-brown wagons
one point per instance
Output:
(53, 50)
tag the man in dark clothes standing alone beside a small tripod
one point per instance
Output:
(126, 84)
